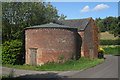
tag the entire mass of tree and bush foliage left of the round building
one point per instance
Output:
(15, 17)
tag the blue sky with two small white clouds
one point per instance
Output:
(78, 10)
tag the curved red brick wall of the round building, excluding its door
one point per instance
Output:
(51, 44)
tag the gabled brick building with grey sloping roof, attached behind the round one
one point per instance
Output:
(89, 32)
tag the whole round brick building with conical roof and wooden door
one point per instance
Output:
(50, 42)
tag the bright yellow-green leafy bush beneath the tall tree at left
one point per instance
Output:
(11, 52)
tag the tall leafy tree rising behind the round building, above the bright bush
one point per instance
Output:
(18, 15)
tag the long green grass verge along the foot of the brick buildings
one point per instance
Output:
(82, 63)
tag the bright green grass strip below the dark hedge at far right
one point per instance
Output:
(111, 50)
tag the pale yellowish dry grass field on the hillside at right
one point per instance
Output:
(107, 36)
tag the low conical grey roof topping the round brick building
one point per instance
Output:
(52, 25)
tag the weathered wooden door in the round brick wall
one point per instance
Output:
(33, 56)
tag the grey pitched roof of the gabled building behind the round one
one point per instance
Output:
(80, 24)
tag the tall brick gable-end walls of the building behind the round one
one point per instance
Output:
(90, 40)
